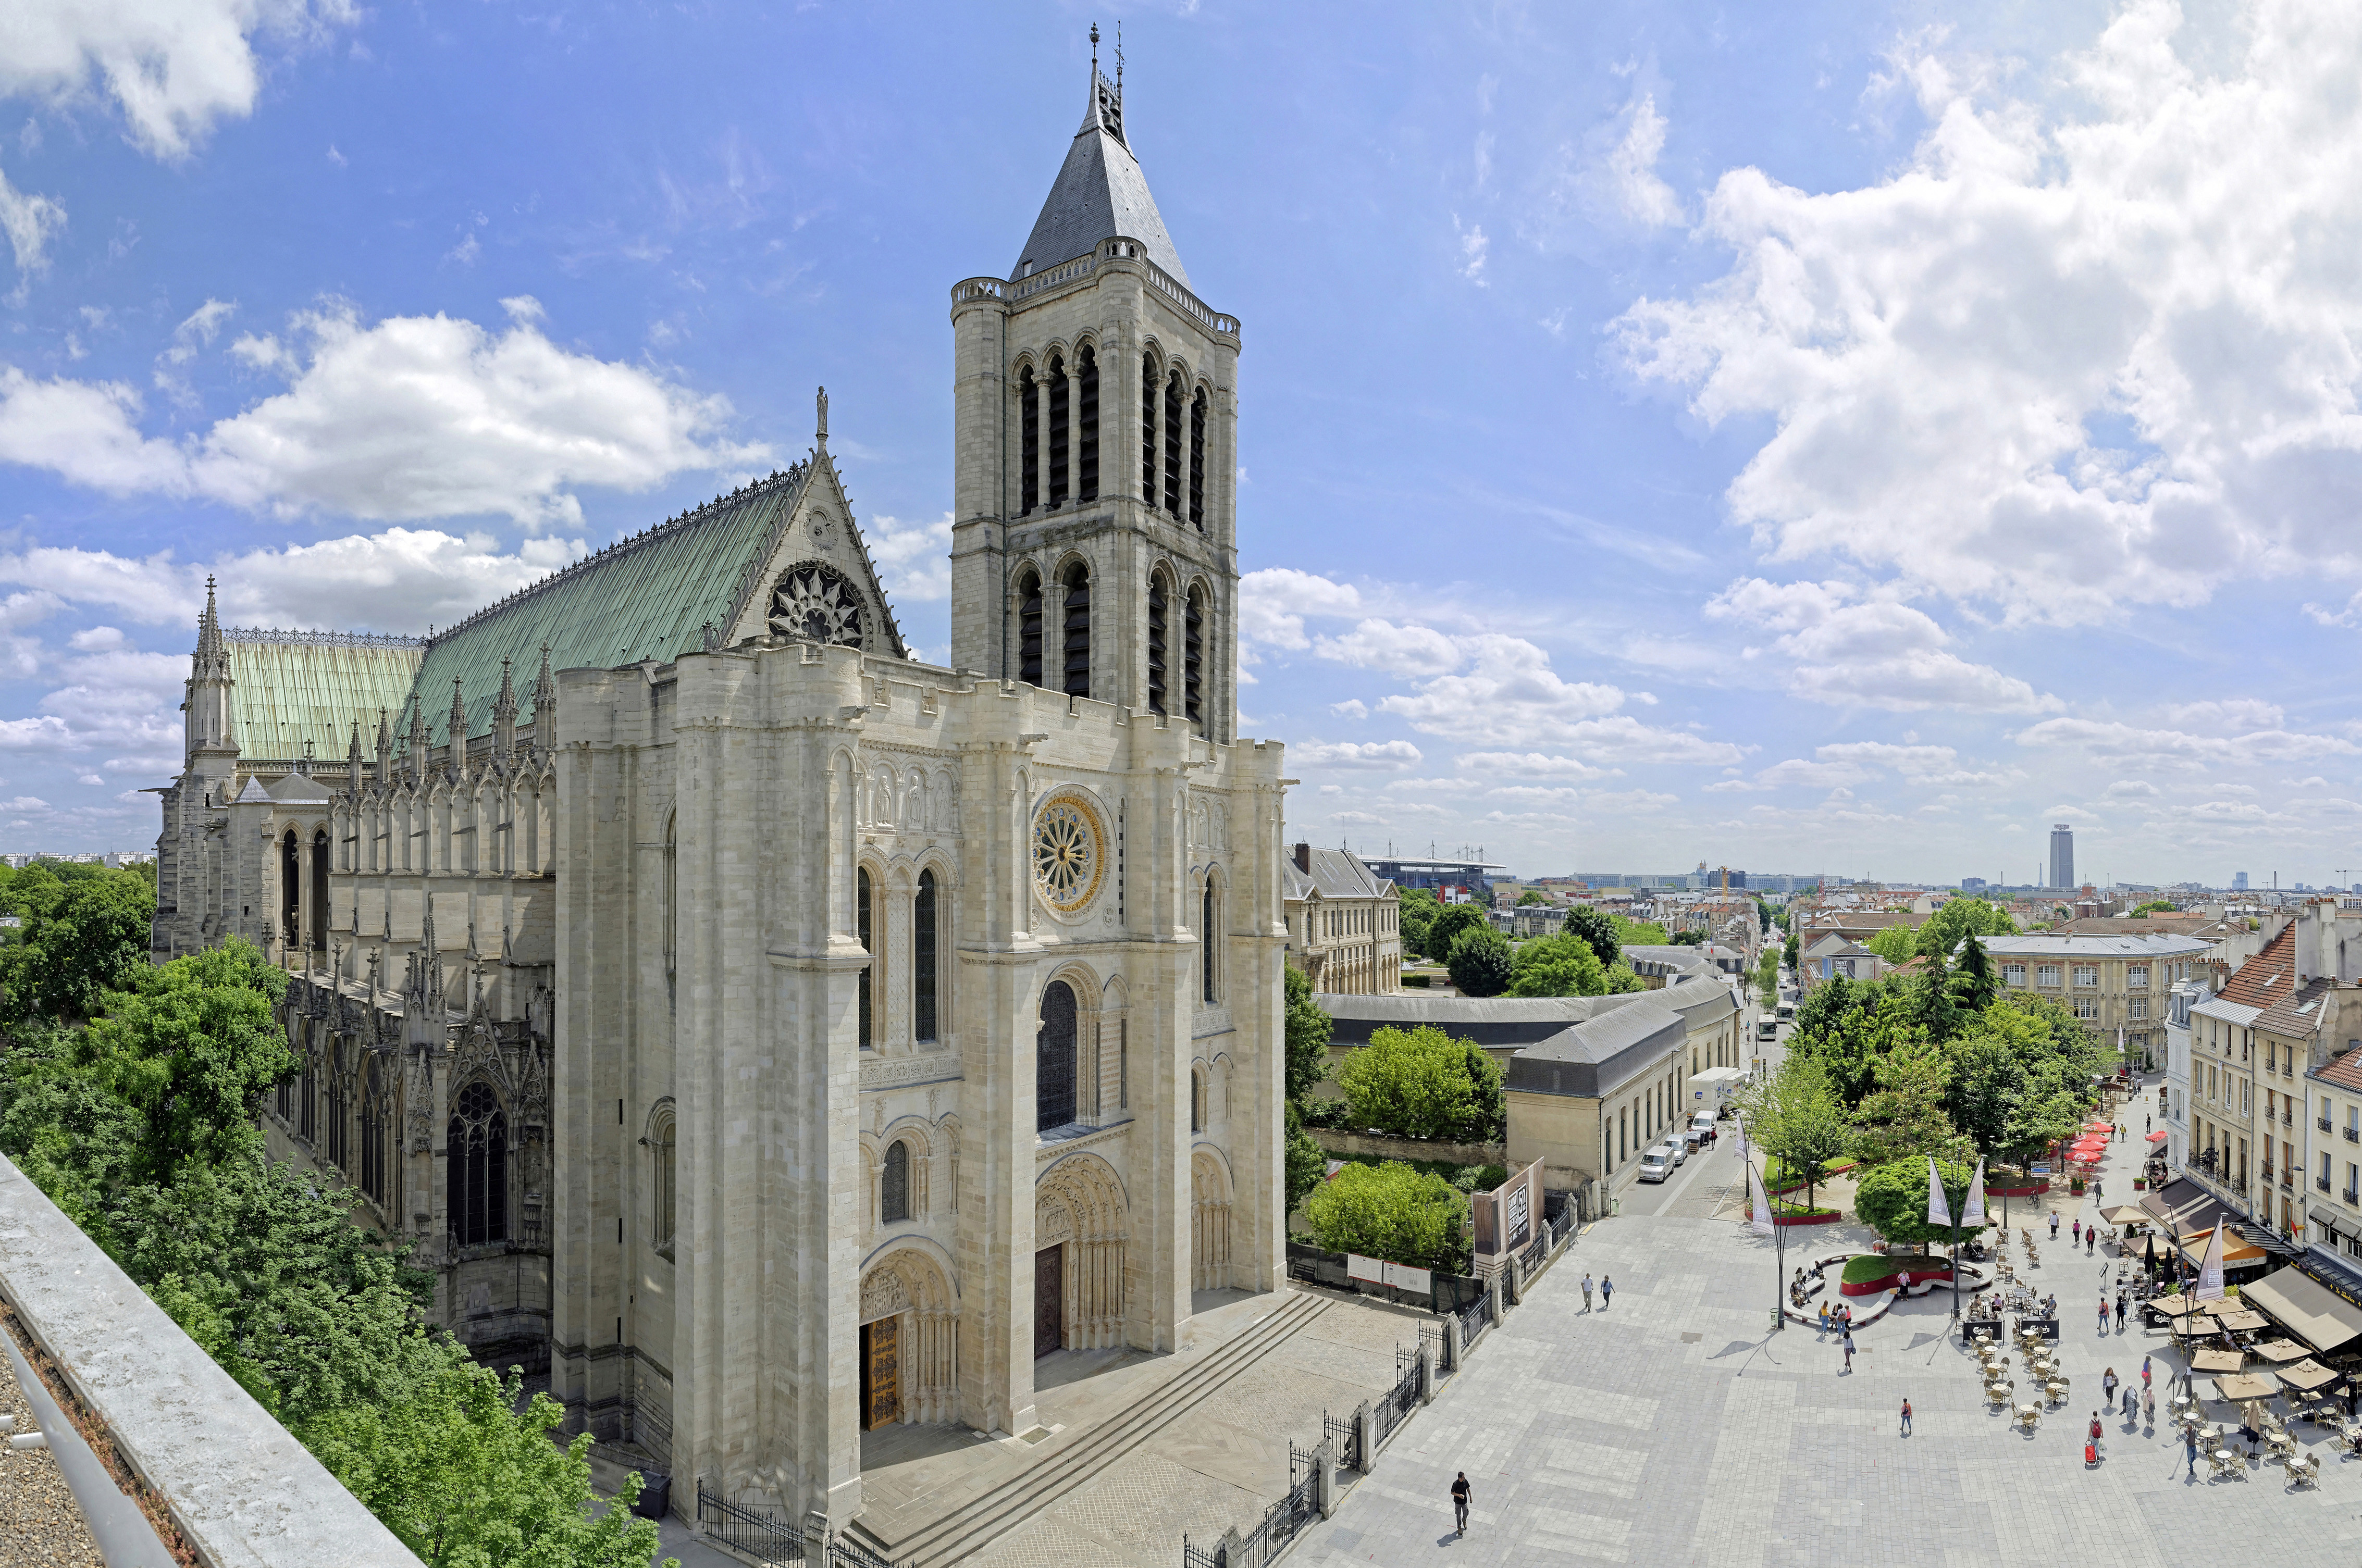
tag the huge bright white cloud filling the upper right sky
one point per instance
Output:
(2061, 365)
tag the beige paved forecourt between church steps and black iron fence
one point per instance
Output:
(1222, 1463)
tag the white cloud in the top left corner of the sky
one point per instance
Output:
(171, 70)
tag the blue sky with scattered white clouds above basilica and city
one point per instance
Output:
(1794, 438)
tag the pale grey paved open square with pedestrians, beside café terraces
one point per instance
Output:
(1669, 1430)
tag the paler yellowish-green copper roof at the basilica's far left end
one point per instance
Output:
(304, 688)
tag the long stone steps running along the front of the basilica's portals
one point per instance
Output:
(972, 1527)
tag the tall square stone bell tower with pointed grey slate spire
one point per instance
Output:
(1097, 457)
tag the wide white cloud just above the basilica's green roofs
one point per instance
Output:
(396, 422)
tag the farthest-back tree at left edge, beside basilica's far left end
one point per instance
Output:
(84, 936)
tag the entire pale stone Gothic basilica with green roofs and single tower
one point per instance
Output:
(764, 1031)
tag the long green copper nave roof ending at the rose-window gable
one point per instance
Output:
(644, 599)
